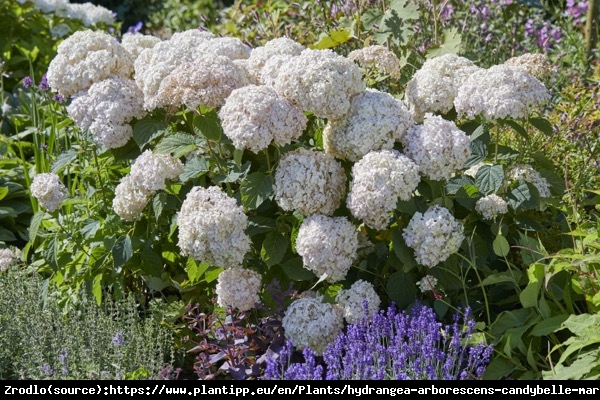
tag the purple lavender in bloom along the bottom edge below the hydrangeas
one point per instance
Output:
(392, 346)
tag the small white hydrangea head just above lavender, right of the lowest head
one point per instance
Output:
(351, 300)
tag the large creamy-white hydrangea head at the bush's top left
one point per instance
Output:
(84, 58)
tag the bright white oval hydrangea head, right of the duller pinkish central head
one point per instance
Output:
(379, 179)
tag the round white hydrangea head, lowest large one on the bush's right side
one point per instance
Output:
(434, 235)
